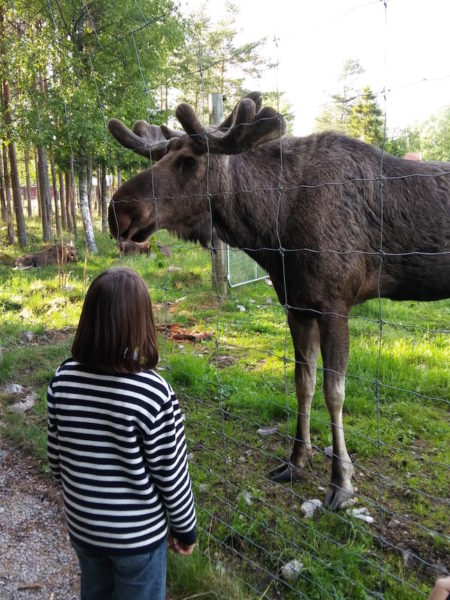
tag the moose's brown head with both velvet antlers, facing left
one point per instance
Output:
(189, 168)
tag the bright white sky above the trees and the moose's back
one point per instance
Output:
(403, 46)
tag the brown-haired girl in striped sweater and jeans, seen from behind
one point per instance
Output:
(116, 444)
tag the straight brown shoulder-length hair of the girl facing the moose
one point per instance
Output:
(116, 332)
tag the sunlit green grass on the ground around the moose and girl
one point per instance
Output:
(240, 379)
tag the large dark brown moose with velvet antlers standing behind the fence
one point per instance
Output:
(333, 220)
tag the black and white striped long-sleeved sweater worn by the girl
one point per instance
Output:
(116, 444)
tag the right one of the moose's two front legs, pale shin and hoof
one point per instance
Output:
(334, 343)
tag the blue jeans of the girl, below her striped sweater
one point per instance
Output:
(111, 577)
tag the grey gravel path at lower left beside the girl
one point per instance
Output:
(36, 559)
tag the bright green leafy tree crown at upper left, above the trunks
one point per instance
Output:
(75, 64)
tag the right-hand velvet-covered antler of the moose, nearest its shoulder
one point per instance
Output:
(242, 130)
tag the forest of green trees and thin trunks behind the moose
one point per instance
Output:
(67, 67)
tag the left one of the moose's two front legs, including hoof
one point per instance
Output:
(305, 336)
